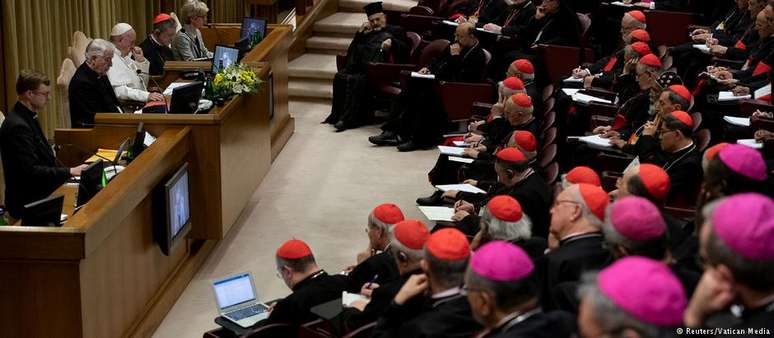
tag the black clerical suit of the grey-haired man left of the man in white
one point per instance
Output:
(90, 93)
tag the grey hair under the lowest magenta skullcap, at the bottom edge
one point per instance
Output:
(611, 318)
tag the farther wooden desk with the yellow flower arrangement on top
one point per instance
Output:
(232, 153)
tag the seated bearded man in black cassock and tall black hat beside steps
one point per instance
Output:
(376, 41)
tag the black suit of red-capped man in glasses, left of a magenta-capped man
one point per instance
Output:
(565, 264)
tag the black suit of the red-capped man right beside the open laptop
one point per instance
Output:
(316, 289)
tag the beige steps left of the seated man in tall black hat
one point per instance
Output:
(311, 74)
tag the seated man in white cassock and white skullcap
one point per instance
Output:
(128, 75)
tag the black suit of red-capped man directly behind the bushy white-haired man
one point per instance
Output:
(533, 195)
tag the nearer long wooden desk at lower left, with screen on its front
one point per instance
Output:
(101, 274)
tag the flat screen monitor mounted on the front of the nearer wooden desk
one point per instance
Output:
(173, 210)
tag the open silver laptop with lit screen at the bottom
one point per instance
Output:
(236, 300)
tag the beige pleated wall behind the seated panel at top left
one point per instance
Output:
(35, 34)
